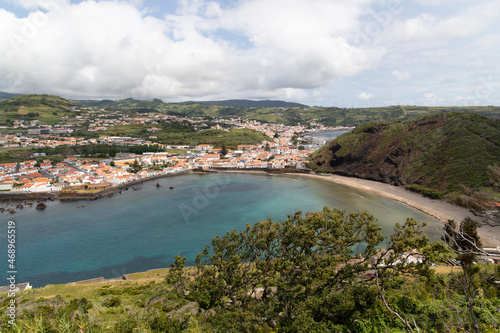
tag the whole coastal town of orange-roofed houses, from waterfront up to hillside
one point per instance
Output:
(287, 147)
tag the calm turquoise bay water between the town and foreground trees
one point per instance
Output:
(144, 229)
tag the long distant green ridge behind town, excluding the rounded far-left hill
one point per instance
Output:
(283, 112)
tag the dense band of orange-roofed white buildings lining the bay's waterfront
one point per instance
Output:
(30, 176)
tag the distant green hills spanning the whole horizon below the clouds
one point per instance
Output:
(266, 111)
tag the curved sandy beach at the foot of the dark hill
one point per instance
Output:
(438, 209)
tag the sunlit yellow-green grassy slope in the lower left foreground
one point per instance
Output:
(141, 292)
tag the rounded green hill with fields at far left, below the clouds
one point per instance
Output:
(46, 109)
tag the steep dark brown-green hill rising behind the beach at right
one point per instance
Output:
(442, 151)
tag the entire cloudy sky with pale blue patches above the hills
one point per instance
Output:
(317, 52)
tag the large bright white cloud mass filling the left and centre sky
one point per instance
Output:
(111, 48)
